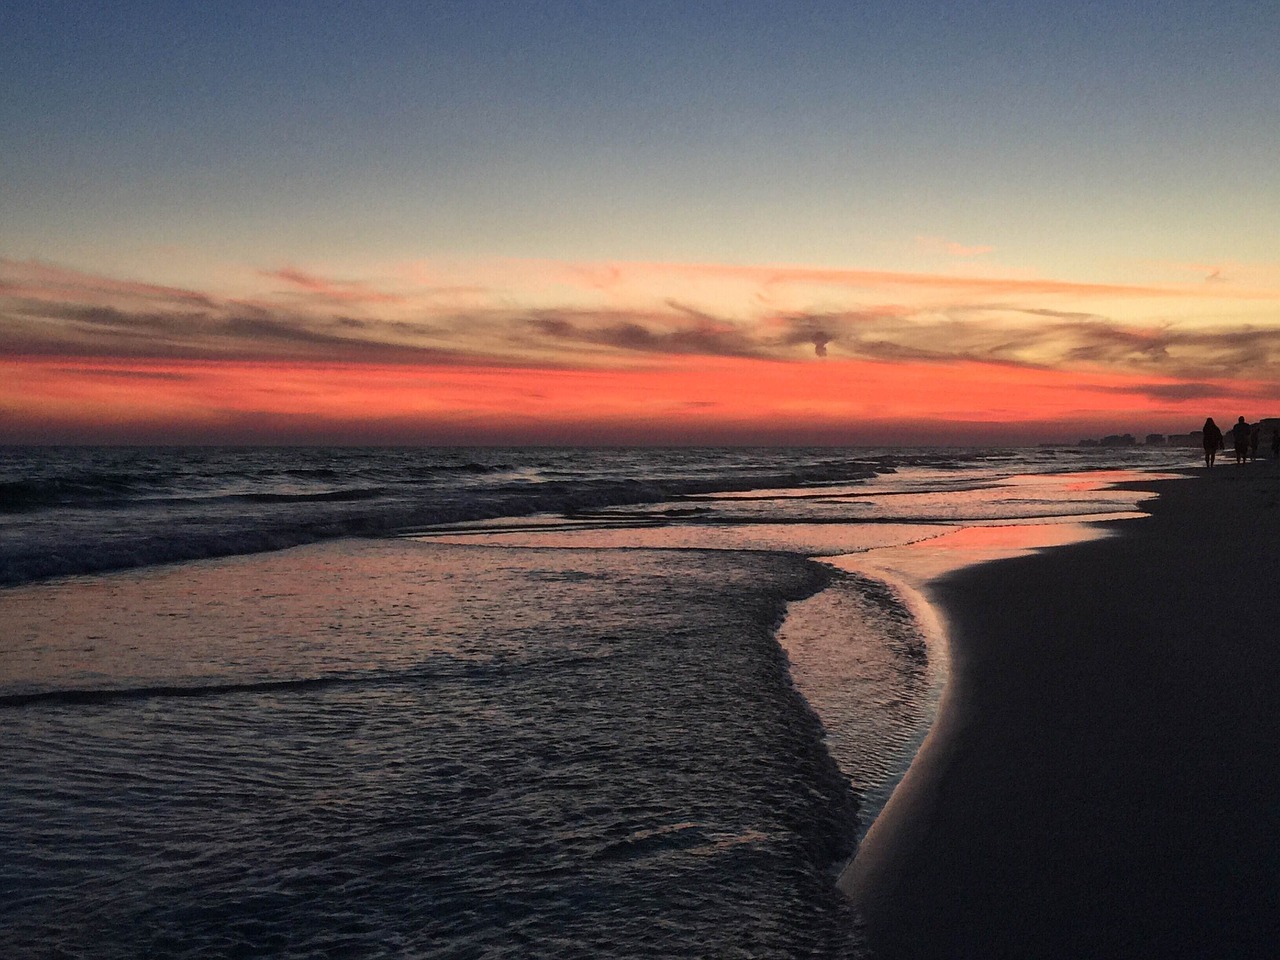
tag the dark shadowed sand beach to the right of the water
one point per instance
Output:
(1104, 776)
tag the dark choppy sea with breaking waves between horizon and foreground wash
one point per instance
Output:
(84, 510)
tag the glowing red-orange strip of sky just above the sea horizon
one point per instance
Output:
(682, 400)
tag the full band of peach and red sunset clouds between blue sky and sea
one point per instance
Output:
(639, 351)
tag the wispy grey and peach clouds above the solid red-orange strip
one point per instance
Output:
(1032, 324)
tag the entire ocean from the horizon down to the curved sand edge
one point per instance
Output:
(472, 703)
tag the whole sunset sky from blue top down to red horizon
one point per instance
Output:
(597, 223)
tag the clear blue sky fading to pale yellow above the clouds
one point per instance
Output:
(702, 131)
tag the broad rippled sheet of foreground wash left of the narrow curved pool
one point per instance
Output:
(516, 753)
